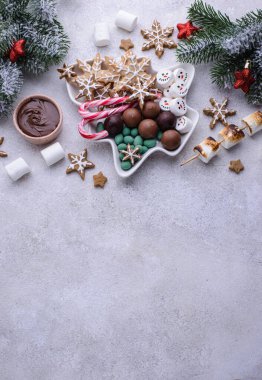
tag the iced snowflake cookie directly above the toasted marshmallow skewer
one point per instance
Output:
(219, 112)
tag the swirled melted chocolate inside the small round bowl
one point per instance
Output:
(38, 117)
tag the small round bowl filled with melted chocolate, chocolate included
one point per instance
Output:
(39, 119)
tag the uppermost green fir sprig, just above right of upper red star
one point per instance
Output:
(206, 17)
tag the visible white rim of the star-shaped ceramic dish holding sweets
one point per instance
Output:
(191, 114)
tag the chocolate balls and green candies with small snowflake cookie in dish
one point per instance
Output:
(136, 131)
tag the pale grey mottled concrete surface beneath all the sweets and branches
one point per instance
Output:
(156, 277)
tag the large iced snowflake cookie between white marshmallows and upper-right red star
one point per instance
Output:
(158, 38)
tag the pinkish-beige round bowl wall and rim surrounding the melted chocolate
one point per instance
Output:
(42, 139)
